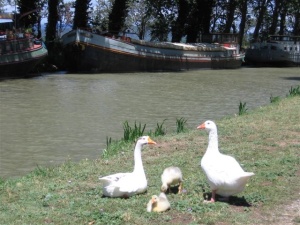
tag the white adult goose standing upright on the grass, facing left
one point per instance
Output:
(225, 175)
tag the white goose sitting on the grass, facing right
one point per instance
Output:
(128, 184)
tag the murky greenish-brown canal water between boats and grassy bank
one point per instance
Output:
(49, 119)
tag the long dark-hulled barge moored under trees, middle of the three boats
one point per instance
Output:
(90, 52)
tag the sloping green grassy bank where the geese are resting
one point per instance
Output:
(265, 141)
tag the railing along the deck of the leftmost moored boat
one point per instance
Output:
(10, 46)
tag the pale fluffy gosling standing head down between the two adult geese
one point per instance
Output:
(171, 176)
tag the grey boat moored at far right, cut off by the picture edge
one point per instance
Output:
(277, 51)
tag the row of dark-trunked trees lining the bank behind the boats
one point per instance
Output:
(165, 20)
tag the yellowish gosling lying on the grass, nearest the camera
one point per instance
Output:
(158, 203)
